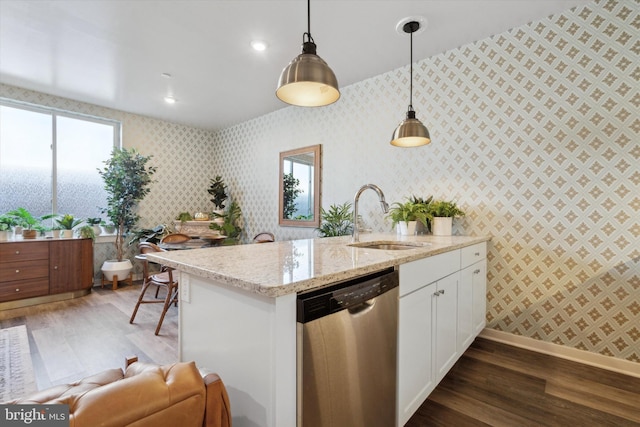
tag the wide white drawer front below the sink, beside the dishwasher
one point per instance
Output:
(416, 274)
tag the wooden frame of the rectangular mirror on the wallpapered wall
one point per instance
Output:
(316, 150)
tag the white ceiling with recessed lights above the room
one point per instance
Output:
(112, 52)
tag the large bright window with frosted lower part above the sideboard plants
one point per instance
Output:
(49, 160)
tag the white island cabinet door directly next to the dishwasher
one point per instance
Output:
(415, 335)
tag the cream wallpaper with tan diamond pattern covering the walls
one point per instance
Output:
(535, 134)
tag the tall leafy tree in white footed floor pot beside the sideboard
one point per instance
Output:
(126, 179)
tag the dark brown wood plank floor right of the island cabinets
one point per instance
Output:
(495, 384)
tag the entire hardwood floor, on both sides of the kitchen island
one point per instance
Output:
(492, 384)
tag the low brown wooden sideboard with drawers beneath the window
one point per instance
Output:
(43, 270)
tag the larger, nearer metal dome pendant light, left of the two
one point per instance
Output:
(308, 81)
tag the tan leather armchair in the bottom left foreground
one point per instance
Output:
(143, 395)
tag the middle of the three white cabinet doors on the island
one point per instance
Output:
(446, 324)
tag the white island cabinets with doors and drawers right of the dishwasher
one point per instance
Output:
(441, 310)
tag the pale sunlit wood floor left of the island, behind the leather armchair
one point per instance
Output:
(75, 338)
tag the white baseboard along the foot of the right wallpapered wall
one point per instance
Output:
(592, 359)
